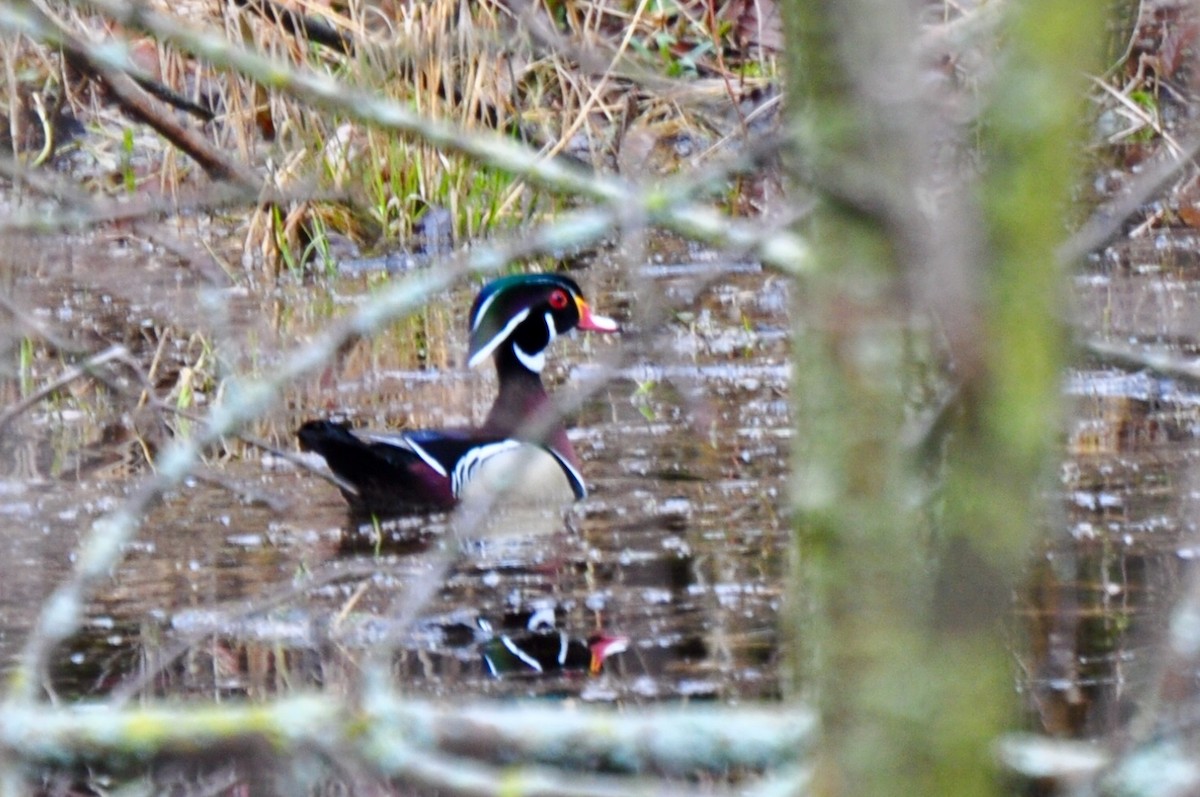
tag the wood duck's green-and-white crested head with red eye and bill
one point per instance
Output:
(524, 314)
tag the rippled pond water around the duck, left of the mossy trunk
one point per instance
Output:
(250, 580)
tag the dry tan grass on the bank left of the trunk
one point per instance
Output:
(571, 81)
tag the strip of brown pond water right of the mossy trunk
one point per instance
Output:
(1119, 553)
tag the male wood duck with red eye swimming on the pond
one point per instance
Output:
(514, 321)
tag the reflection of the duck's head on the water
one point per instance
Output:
(541, 649)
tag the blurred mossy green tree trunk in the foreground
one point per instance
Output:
(903, 589)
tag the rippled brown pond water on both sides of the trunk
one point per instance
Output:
(250, 582)
